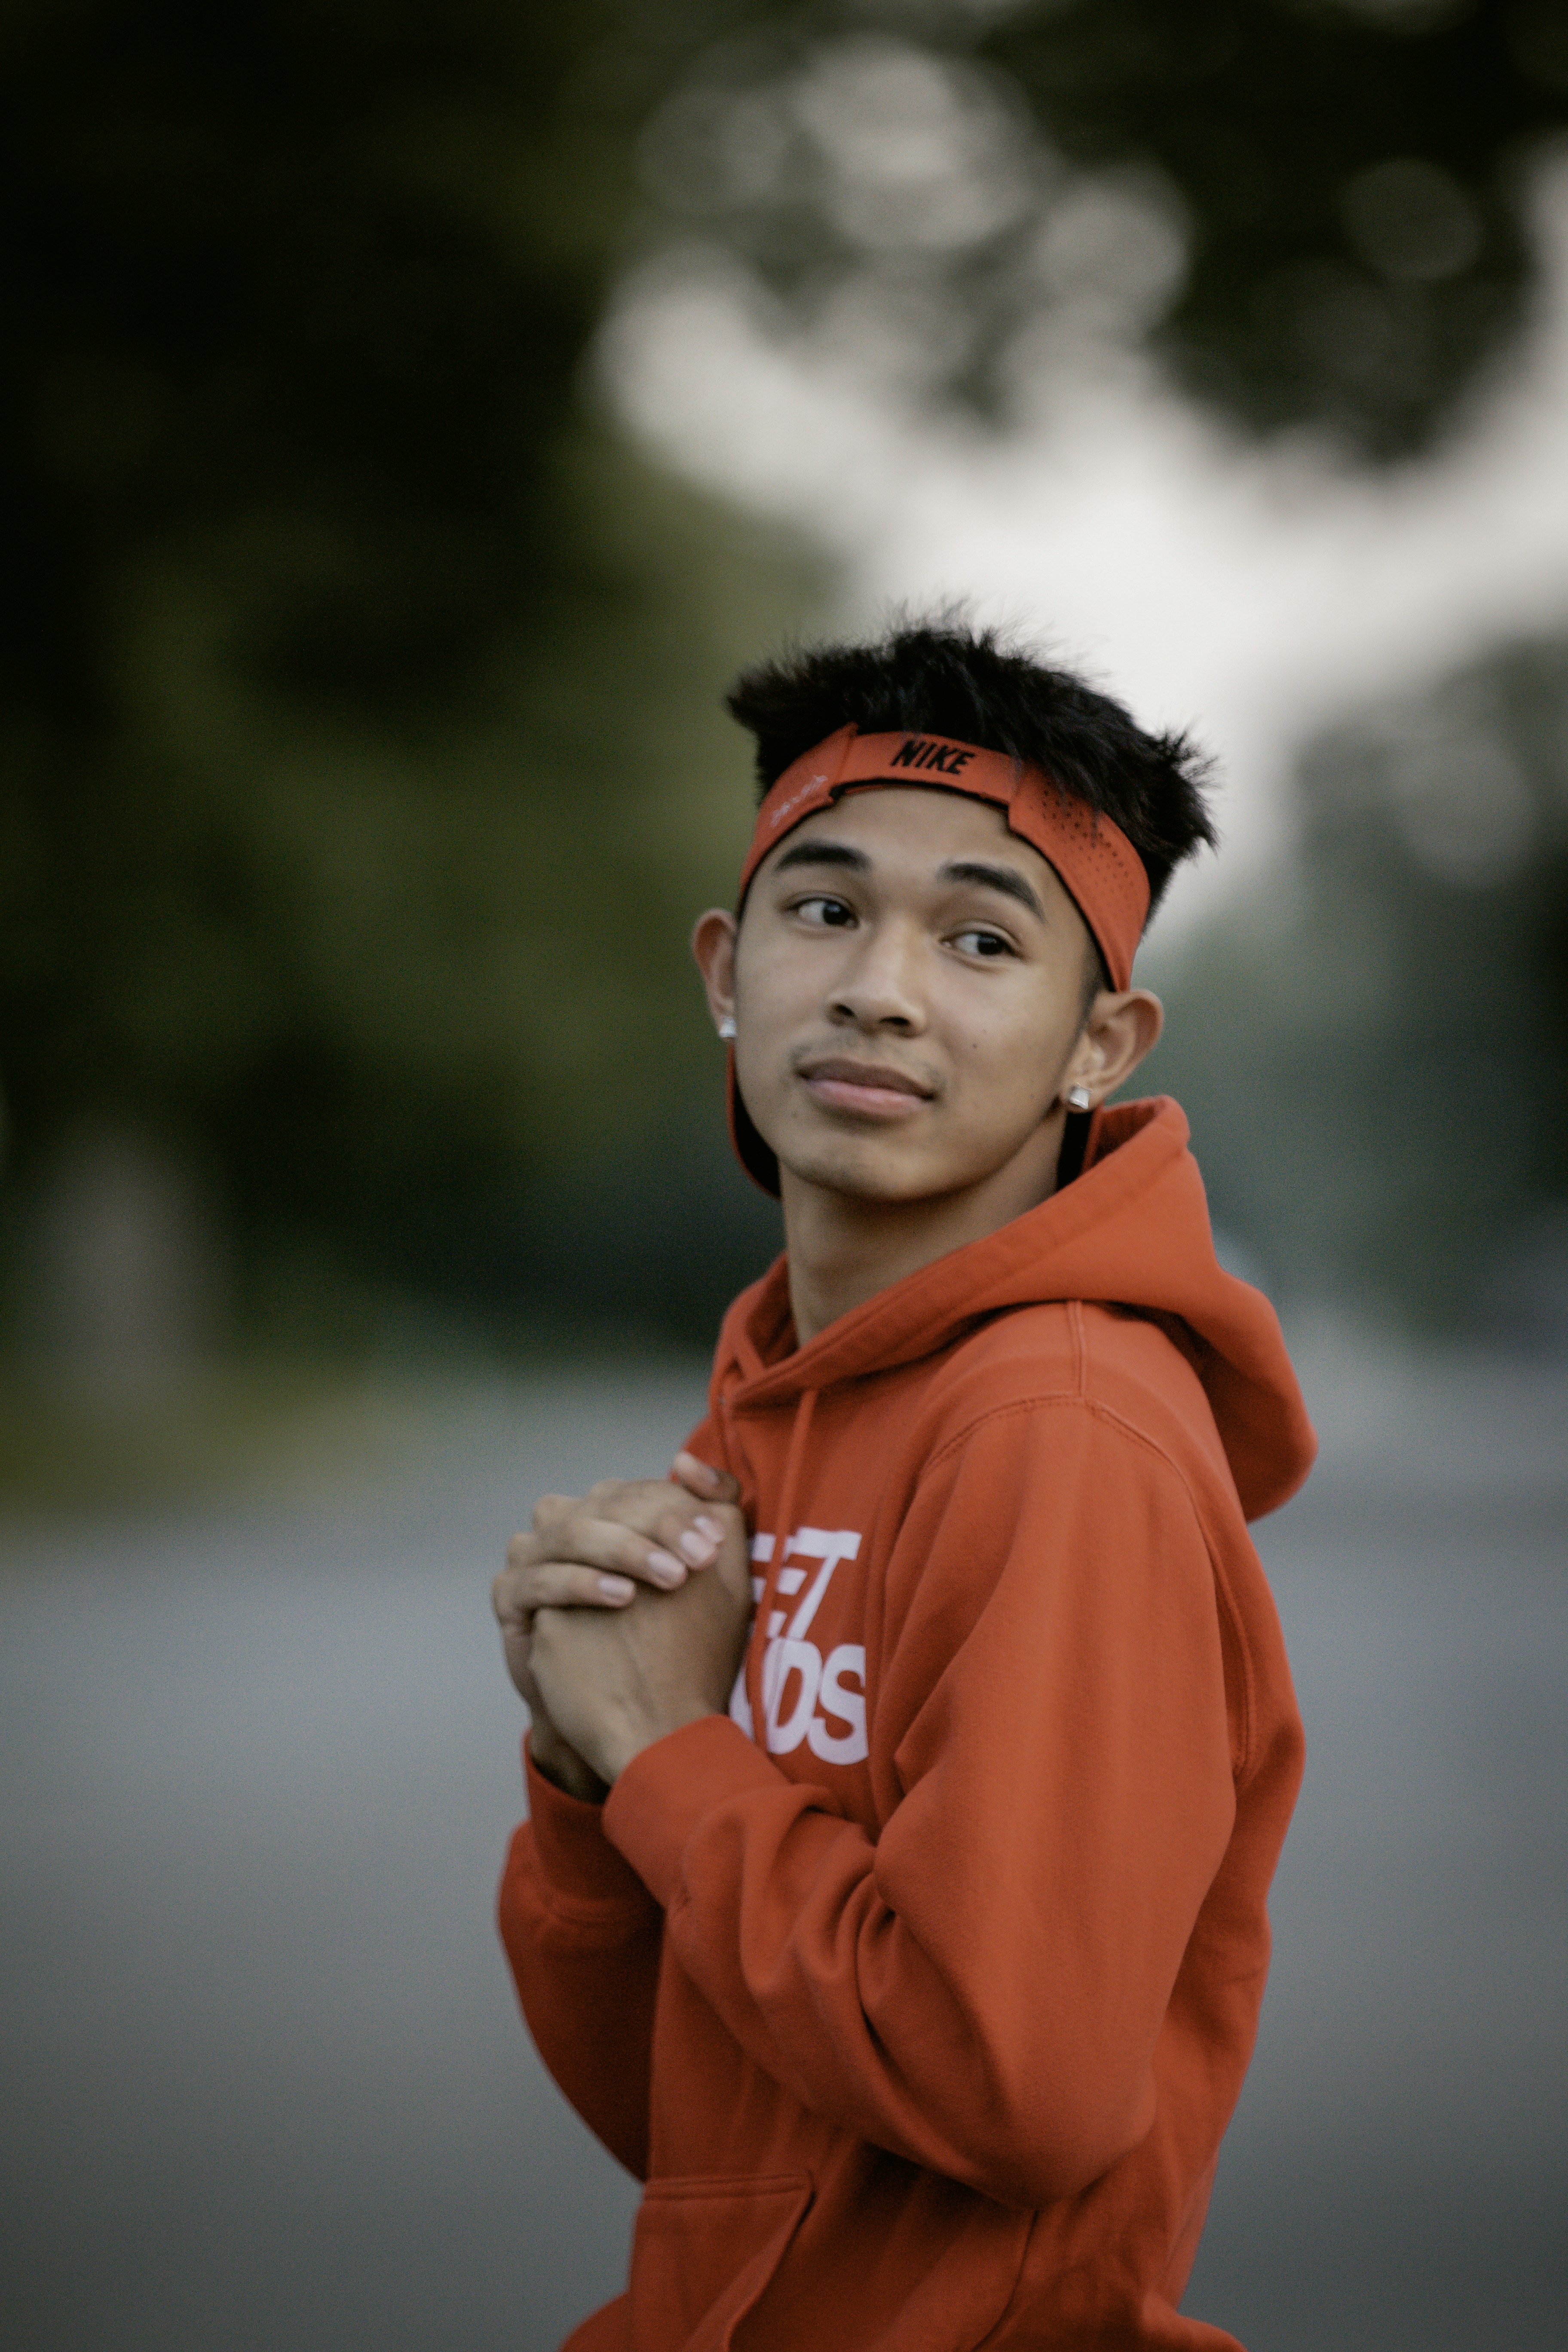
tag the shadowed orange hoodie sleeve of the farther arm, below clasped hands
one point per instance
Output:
(582, 1937)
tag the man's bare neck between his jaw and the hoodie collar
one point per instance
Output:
(845, 1248)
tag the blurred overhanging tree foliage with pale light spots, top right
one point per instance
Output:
(1315, 211)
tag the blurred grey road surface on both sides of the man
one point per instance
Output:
(264, 2087)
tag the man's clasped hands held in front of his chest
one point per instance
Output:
(624, 1617)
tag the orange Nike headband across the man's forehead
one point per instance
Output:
(1090, 853)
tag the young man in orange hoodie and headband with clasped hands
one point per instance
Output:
(911, 1946)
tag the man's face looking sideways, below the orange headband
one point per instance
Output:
(909, 994)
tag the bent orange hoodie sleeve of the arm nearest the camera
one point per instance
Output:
(984, 1986)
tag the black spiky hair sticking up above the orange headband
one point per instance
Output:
(944, 676)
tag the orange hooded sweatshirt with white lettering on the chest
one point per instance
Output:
(923, 2024)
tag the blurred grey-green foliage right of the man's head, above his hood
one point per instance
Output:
(1376, 1069)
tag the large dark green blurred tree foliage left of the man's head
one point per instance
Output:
(361, 693)
